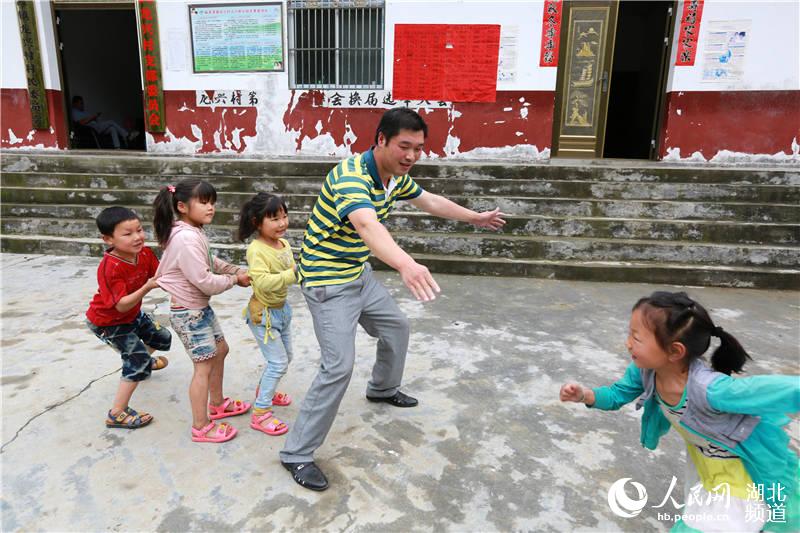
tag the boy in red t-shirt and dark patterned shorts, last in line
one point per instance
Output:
(124, 276)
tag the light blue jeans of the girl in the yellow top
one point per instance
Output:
(276, 347)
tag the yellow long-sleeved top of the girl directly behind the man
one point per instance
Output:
(271, 271)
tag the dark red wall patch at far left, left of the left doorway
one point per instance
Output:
(15, 111)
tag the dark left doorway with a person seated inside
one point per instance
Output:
(100, 64)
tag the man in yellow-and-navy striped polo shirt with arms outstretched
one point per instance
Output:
(345, 226)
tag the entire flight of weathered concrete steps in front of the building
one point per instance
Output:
(629, 222)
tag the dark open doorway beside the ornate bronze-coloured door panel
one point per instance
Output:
(637, 78)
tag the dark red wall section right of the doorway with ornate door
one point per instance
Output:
(753, 122)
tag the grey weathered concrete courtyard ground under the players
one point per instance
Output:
(490, 448)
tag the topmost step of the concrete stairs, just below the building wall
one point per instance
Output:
(598, 171)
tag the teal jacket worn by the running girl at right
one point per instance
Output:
(765, 452)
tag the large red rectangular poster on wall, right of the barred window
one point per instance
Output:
(448, 62)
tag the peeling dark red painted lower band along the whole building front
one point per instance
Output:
(753, 122)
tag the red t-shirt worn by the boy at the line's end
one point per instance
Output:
(117, 278)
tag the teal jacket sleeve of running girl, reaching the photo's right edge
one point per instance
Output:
(755, 395)
